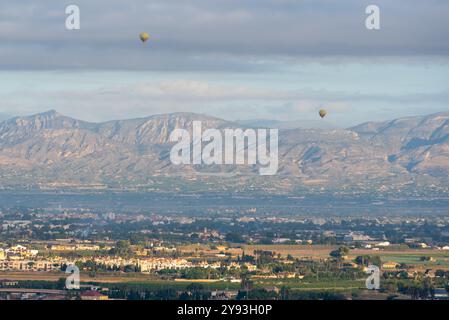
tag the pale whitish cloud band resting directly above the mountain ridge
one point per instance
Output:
(229, 101)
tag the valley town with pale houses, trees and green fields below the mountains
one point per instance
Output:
(247, 256)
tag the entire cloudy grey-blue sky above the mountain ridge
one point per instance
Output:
(236, 59)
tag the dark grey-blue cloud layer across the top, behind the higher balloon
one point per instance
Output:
(201, 35)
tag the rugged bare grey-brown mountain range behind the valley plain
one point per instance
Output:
(50, 150)
